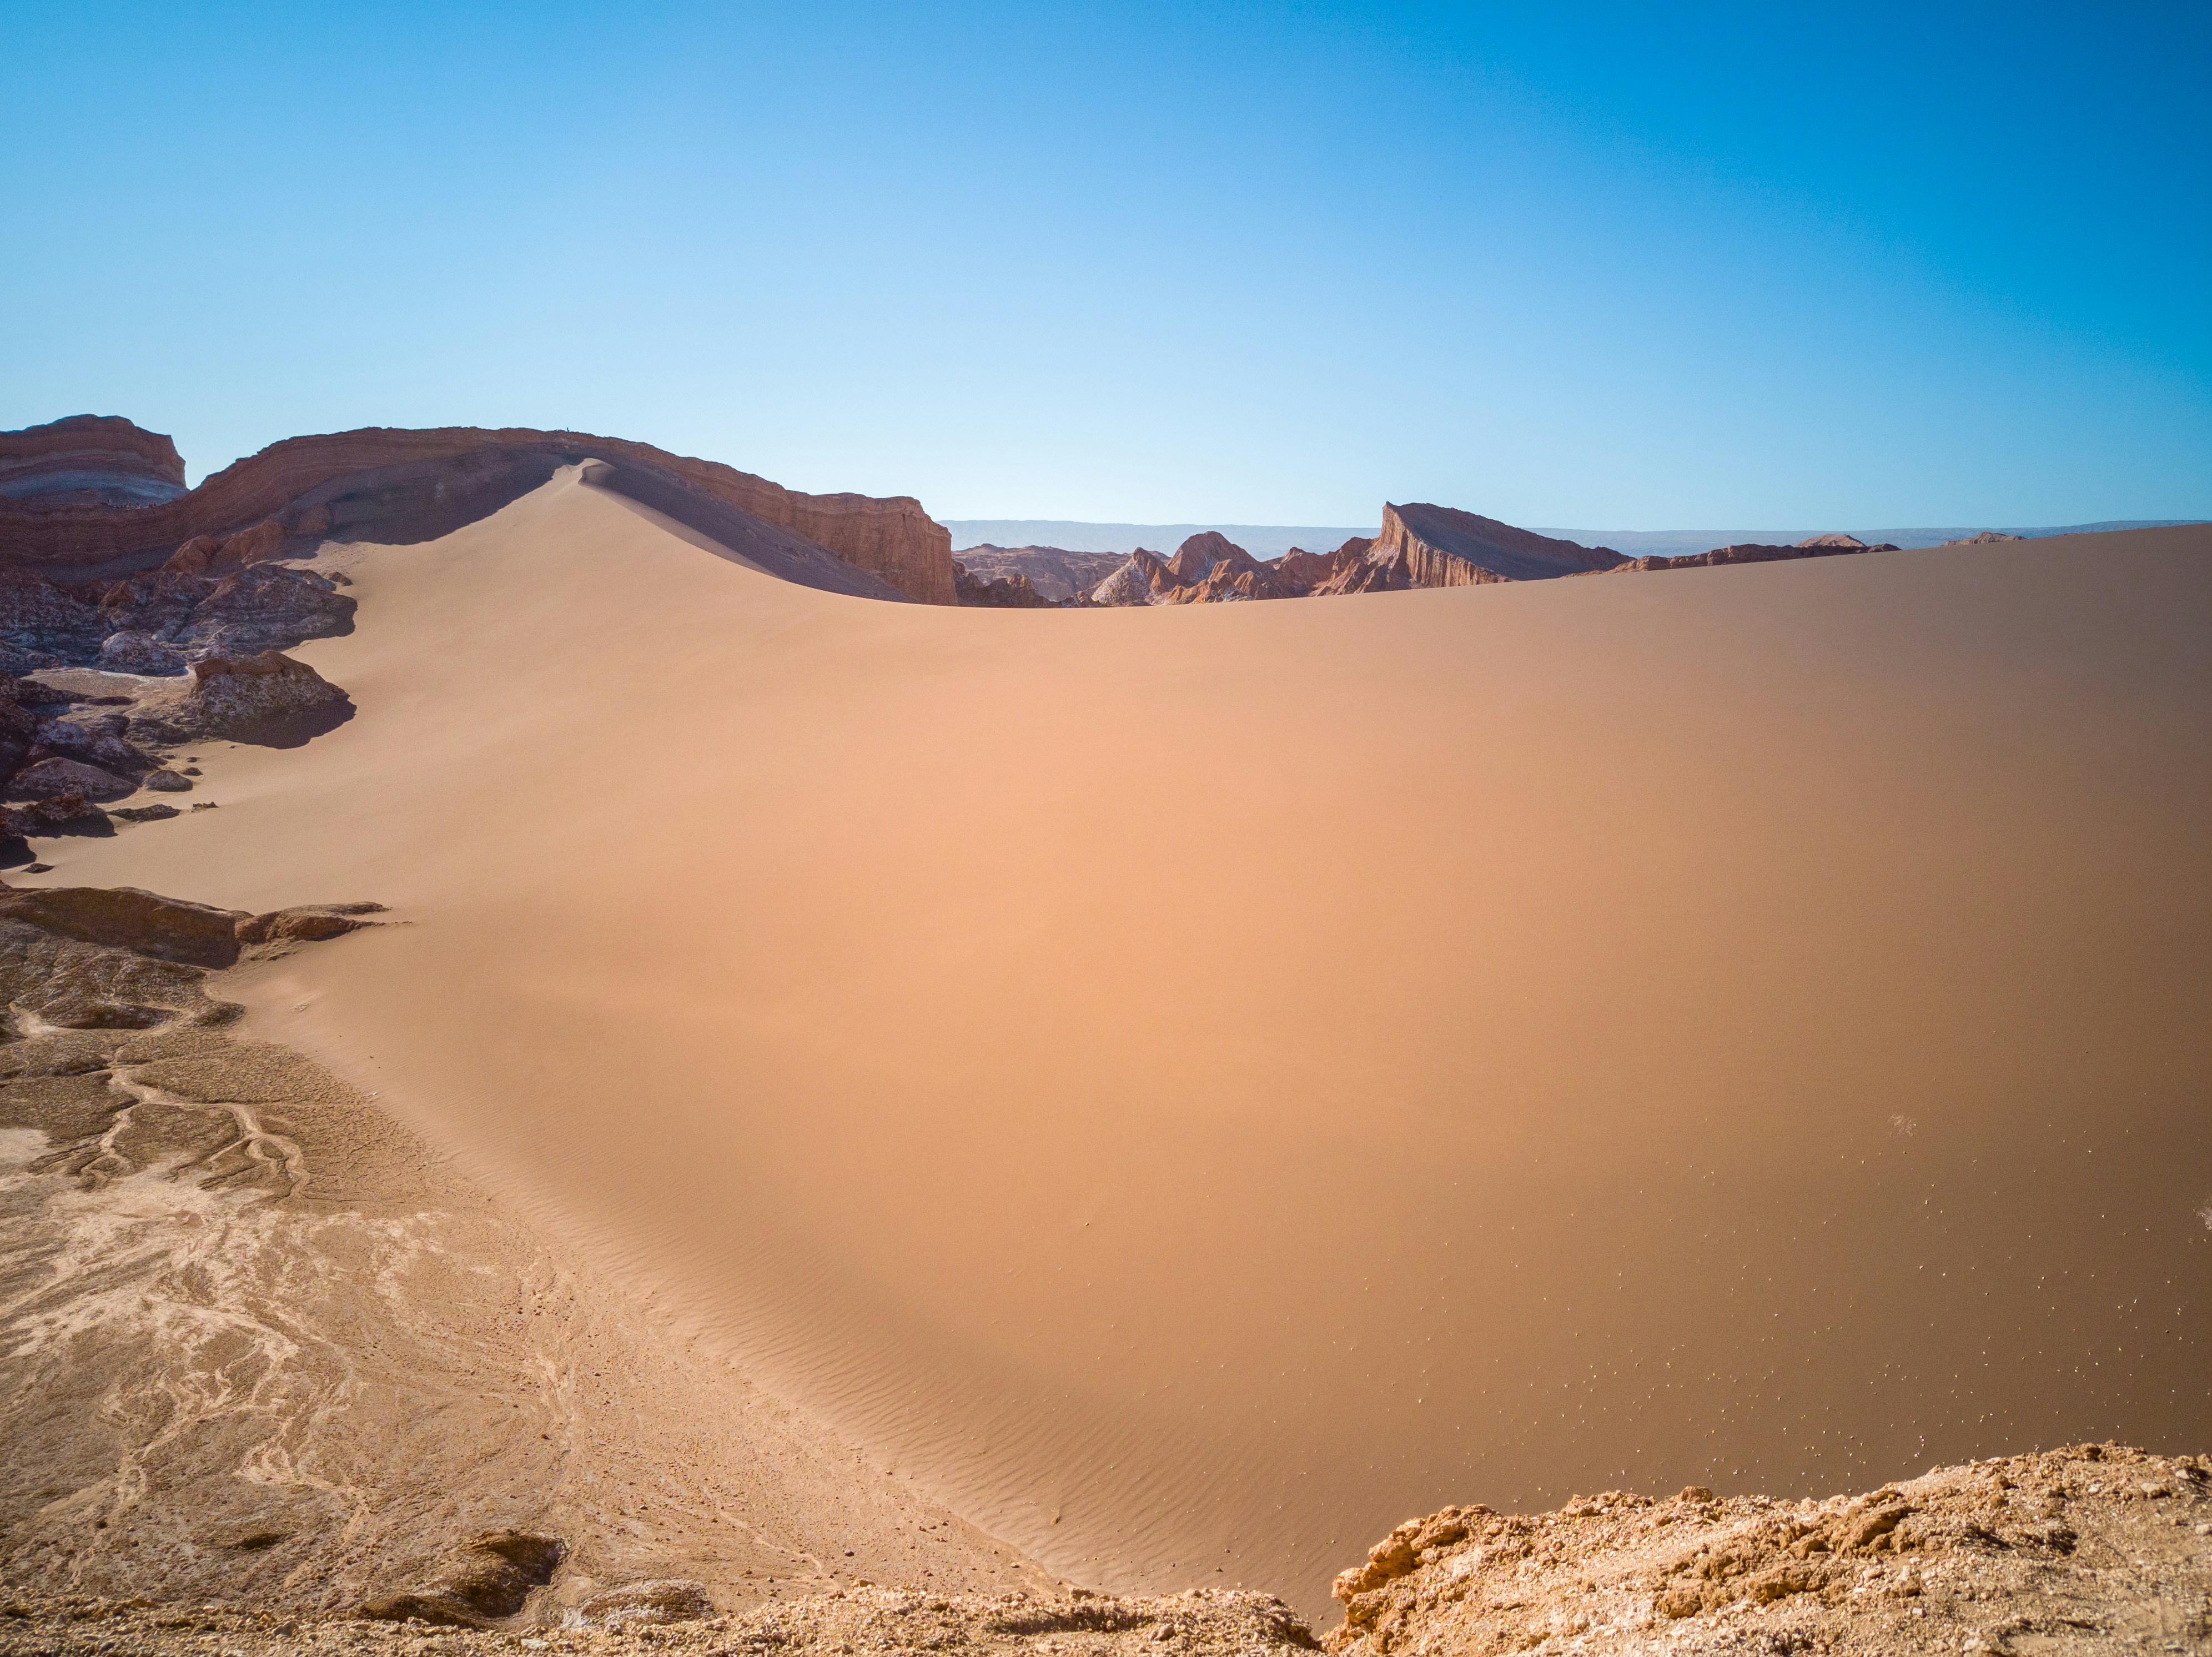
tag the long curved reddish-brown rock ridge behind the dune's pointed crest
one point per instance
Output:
(413, 486)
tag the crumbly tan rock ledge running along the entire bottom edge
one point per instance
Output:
(2087, 1550)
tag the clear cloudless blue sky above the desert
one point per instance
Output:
(1660, 267)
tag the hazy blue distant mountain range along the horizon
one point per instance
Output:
(1273, 541)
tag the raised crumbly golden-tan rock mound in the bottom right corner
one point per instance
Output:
(2012, 1554)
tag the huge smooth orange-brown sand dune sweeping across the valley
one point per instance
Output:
(1191, 1087)
